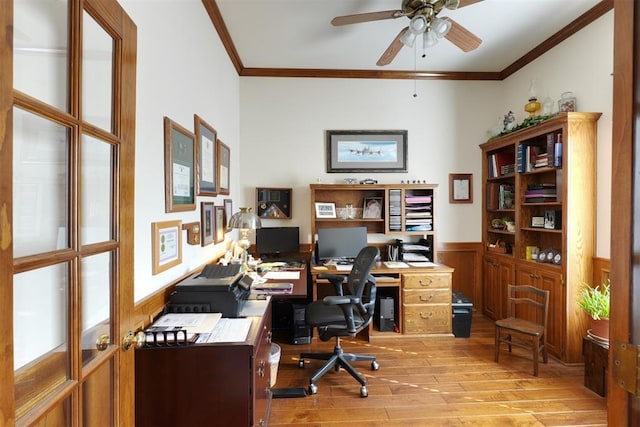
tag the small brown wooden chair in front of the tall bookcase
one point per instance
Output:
(526, 321)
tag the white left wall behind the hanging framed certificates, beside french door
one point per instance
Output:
(183, 70)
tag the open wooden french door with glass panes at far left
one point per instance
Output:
(67, 103)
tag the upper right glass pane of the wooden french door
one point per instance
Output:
(97, 74)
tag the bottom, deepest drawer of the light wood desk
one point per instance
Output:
(427, 319)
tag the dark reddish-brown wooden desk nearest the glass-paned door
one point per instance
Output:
(222, 384)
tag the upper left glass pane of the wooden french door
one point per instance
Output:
(41, 50)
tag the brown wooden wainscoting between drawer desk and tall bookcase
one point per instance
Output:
(466, 258)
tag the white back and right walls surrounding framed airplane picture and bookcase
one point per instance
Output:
(283, 123)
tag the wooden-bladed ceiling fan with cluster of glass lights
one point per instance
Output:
(424, 20)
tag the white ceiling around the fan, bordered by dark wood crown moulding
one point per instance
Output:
(298, 33)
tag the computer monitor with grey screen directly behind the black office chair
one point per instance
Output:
(341, 243)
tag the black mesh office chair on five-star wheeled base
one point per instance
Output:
(344, 314)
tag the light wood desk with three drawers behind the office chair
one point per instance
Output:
(422, 297)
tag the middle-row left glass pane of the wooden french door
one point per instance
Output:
(40, 184)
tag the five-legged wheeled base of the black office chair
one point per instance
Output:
(336, 360)
